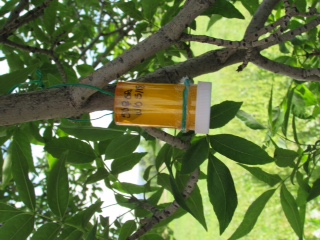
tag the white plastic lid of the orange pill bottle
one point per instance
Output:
(203, 107)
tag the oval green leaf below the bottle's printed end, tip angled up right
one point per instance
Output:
(122, 146)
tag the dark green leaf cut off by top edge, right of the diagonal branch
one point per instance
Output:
(225, 9)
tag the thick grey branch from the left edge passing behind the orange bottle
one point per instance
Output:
(48, 104)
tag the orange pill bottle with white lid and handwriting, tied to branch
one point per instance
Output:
(163, 105)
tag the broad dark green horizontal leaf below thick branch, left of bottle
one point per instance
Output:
(78, 152)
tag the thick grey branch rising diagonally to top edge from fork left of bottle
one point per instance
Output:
(161, 40)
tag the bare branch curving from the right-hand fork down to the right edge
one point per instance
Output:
(279, 68)
